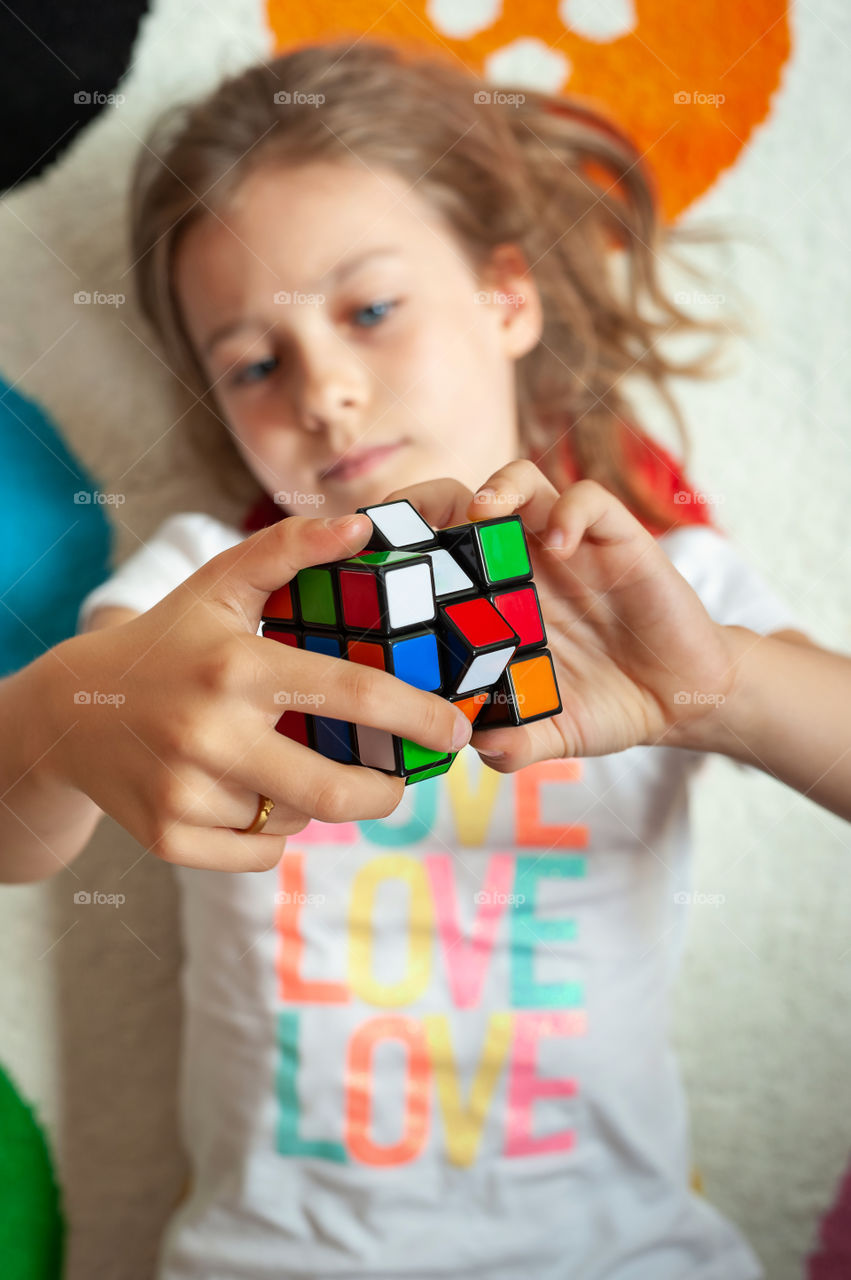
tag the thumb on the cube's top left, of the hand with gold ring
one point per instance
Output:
(244, 577)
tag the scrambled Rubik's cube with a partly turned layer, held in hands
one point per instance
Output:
(451, 611)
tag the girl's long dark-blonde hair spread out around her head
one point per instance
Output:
(546, 173)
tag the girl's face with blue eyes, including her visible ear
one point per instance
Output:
(351, 348)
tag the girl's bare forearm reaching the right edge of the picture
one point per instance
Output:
(788, 714)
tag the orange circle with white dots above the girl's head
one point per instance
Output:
(689, 84)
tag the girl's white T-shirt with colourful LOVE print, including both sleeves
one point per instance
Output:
(437, 1045)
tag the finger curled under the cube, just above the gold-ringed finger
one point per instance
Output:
(314, 785)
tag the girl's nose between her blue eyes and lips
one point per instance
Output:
(332, 391)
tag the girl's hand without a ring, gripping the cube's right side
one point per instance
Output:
(638, 659)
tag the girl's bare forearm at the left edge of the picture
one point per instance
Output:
(44, 822)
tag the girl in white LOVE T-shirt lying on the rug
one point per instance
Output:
(431, 1040)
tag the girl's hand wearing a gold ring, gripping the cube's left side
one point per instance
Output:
(182, 756)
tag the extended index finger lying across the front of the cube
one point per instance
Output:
(354, 693)
